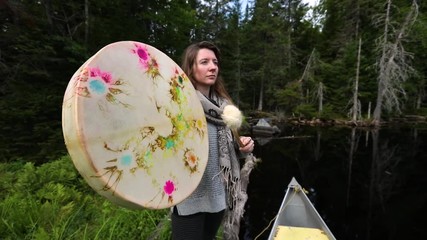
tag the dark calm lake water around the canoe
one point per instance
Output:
(365, 184)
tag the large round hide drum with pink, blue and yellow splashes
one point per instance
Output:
(134, 127)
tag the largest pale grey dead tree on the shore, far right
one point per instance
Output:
(392, 64)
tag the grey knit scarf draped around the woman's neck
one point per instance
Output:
(229, 163)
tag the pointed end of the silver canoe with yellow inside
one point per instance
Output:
(298, 219)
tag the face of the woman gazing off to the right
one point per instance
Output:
(205, 70)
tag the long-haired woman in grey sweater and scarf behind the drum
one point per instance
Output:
(200, 215)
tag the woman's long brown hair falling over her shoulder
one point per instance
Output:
(188, 63)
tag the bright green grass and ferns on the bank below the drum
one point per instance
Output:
(52, 201)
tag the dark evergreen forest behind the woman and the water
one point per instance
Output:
(342, 59)
